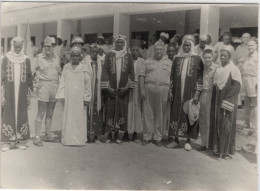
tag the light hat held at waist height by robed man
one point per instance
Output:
(192, 110)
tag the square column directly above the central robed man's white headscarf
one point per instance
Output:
(122, 25)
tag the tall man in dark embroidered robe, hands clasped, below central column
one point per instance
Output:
(117, 76)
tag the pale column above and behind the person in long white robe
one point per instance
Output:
(64, 30)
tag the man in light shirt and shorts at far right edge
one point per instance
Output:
(249, 76)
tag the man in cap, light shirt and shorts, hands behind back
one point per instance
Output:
(47, 74)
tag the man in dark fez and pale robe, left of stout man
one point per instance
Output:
(135, 116)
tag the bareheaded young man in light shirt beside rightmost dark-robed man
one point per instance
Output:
(205, 97)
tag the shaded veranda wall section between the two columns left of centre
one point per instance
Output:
(97, 25)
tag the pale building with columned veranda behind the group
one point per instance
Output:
(138, 20)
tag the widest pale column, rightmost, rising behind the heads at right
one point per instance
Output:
(209, 21)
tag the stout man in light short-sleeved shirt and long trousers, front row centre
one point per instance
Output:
(154, 87)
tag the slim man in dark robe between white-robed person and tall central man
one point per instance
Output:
(95, 110)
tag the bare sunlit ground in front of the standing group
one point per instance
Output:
(129, 166)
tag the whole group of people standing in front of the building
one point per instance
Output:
(178, 92)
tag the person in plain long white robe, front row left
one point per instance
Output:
(75, 89)
